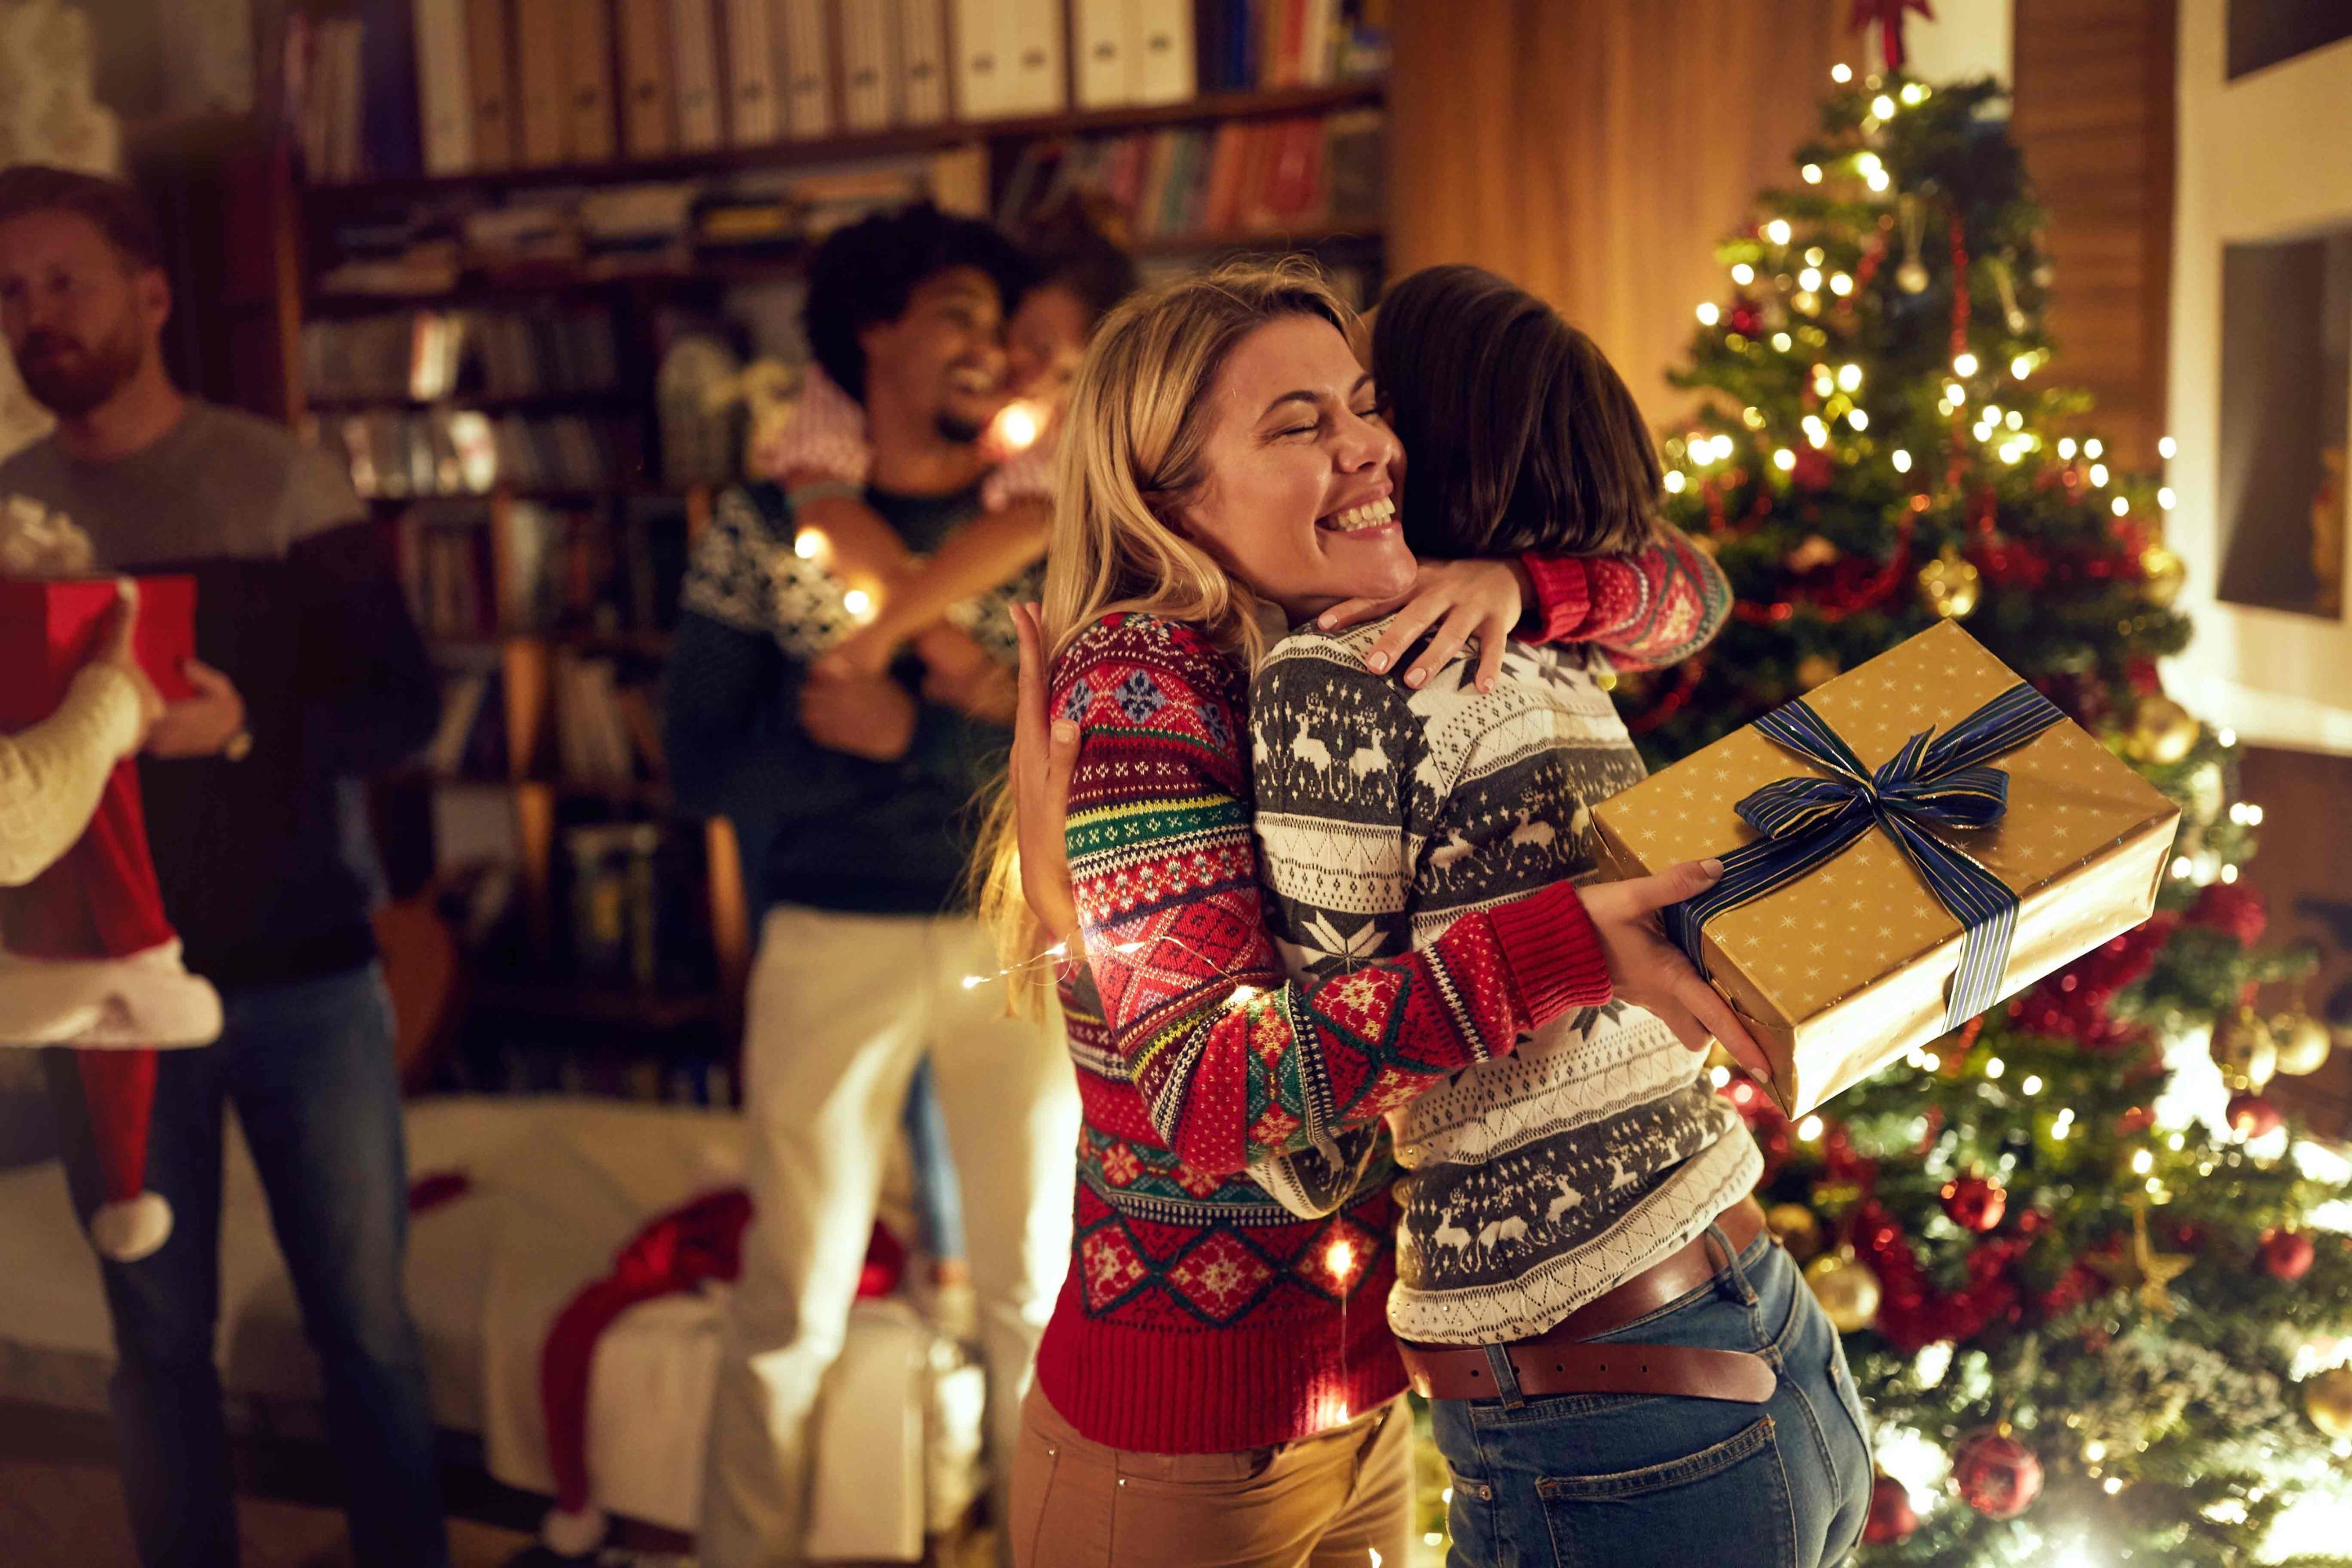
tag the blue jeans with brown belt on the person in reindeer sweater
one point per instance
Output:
(1629, 1480)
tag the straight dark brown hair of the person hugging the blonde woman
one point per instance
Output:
(1518, 434)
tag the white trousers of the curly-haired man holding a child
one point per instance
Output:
(838, 1012)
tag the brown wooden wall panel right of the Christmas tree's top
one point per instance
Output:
(2094, 114)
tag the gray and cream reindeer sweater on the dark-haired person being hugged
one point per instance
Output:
(1539, 1181)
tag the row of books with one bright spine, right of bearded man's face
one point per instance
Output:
(432, 356)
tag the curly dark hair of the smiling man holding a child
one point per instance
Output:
(867, 272)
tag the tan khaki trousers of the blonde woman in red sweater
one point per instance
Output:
(1332, 1501)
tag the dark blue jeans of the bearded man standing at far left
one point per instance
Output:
(309, 1071)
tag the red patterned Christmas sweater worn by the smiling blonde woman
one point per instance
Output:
(1198, 1313)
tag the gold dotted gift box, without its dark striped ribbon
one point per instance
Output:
(1847, 967)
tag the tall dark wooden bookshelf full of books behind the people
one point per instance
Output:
(490, 359)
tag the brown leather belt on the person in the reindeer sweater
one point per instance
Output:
(1558, 1360)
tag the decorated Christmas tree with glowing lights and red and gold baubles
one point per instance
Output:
(2090, 1280)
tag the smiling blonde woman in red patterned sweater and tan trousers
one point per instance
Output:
(1217, 1383)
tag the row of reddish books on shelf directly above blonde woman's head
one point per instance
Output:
(1234, 180)
